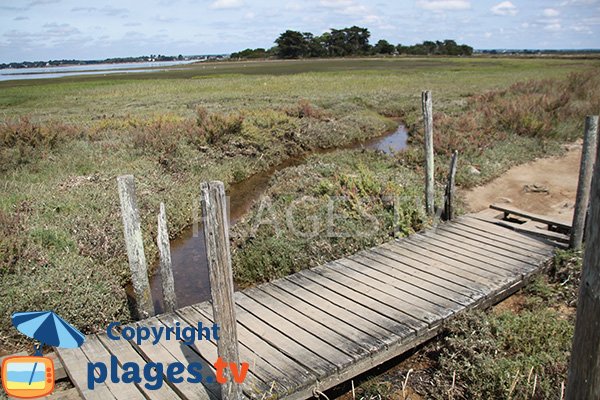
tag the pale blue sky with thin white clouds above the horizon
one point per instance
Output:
(32, 30)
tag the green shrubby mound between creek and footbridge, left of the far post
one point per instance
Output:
(333, 205)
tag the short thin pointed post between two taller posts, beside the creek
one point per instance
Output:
(166, 269)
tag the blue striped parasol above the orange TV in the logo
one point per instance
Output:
(48, 328)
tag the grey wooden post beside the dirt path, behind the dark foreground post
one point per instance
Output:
(588, 155)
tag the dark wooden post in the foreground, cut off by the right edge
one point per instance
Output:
(584, 369)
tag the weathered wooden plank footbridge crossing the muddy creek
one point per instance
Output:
(323, 326)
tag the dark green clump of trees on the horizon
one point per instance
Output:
(353, 41)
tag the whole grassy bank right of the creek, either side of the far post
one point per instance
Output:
(494, 131)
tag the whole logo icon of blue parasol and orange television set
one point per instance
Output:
(28, 377)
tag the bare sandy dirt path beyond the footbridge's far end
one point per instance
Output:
(546, 186)
